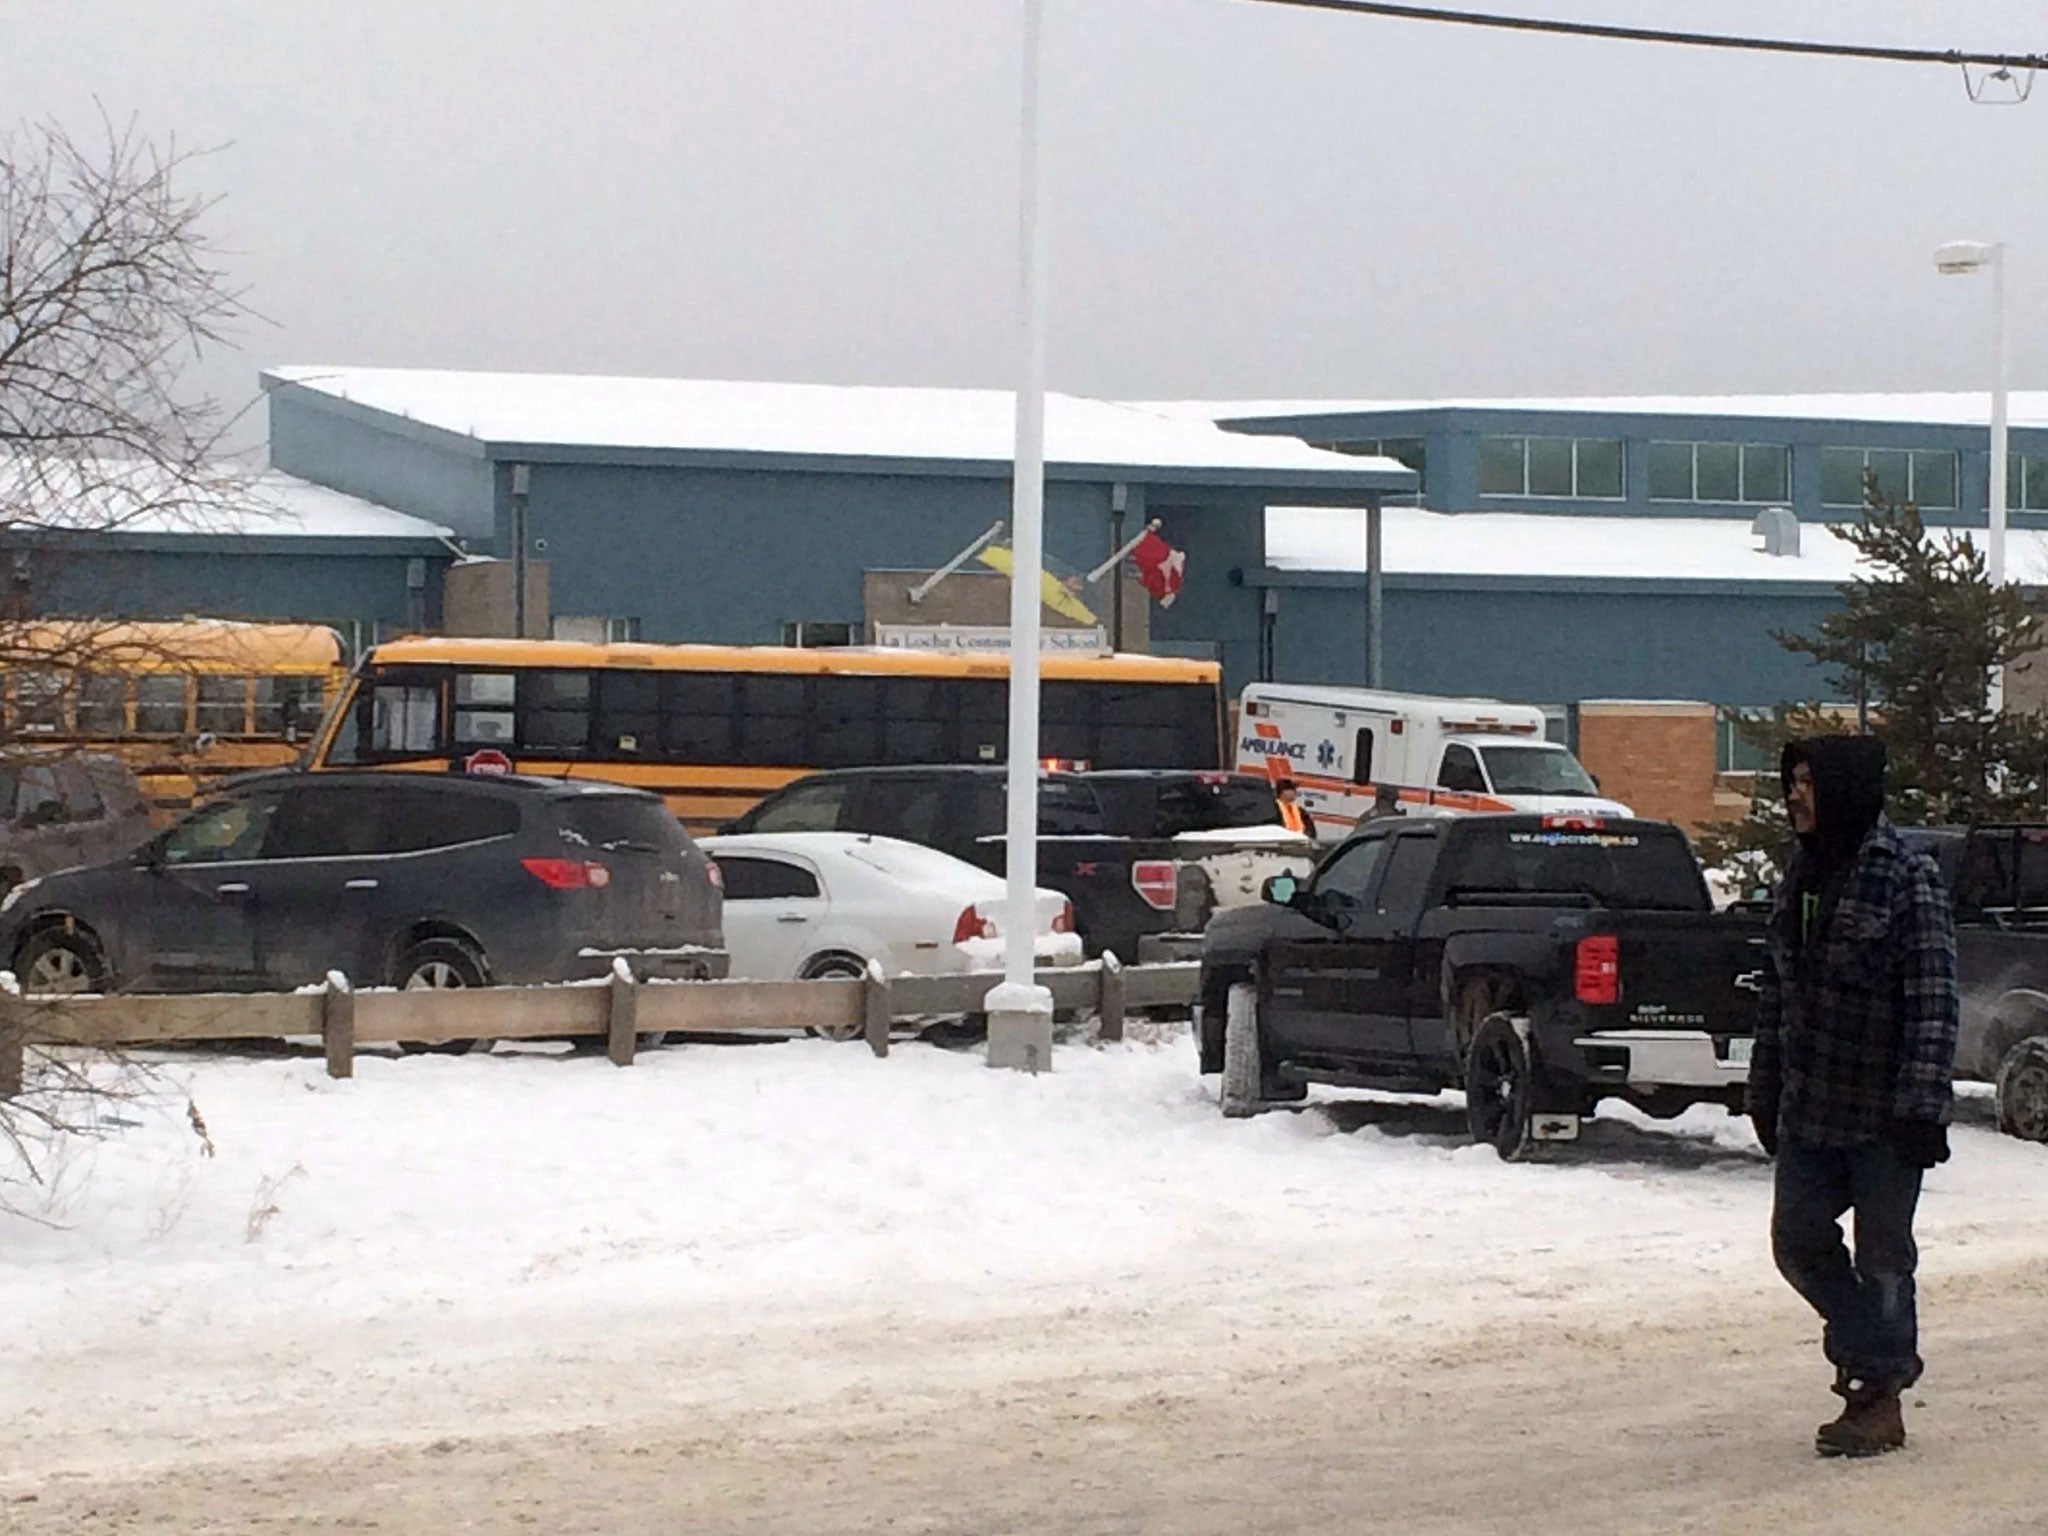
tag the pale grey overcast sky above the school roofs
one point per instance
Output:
(1246, 200)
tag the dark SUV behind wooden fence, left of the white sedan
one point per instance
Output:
(394, 880)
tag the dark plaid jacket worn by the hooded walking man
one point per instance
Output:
(1861, 1029)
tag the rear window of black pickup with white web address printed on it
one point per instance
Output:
(1629, 867)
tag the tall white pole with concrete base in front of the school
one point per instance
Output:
(1021, 1011)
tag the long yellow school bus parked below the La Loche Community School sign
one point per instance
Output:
(714, 728)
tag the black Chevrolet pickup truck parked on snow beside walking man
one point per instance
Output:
(1539, 964)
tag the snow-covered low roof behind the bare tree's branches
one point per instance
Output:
(105, 497)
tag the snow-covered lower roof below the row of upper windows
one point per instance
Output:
(1416, 542)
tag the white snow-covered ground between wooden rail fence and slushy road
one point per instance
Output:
(804, 1187)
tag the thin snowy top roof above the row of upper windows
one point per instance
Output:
(1947, 409)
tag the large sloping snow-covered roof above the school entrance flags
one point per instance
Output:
(814, 421)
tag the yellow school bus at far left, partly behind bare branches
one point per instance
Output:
(185, 703)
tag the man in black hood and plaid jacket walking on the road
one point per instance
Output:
(1850, 1078)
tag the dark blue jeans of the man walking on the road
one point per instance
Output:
(1869, 1308)
